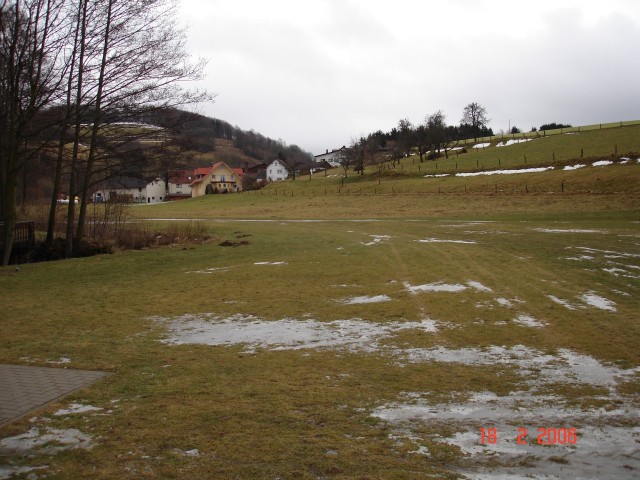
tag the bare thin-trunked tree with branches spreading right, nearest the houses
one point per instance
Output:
(131, 60)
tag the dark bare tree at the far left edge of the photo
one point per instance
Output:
(31, 32)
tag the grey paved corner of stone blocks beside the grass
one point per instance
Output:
(24, 388)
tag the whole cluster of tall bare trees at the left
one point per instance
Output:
(77, 77)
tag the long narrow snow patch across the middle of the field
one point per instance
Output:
(285, 334)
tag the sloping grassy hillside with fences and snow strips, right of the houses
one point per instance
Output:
(480, 166)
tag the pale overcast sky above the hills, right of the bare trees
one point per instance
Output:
(318, 73)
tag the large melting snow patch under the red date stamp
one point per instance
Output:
(605, 441)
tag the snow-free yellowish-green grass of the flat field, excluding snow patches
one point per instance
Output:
(278, 413)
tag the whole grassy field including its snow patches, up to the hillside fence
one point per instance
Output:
(367, 335)
